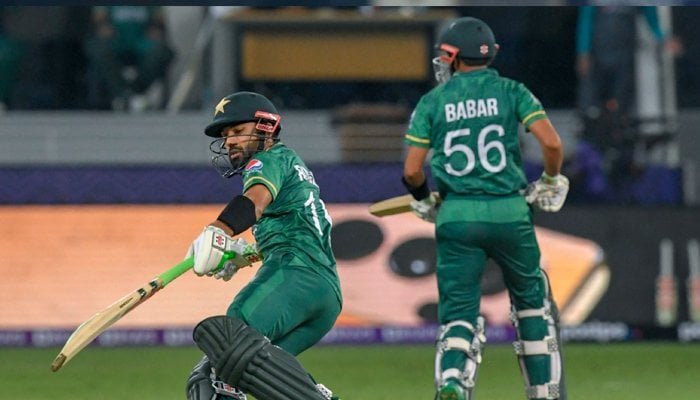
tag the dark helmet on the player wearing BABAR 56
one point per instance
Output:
(471, 37)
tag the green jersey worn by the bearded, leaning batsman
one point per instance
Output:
(296, 220)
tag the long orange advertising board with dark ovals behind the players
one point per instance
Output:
(91, 255)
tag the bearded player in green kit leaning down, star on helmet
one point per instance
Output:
(295, 297)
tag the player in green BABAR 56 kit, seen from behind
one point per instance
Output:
(470, 122)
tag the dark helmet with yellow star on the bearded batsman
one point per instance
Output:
(242, 107)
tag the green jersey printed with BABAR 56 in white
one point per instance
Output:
(471, 123)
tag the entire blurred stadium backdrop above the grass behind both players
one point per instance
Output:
(105, 175)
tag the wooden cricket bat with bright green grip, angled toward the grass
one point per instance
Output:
(100, 322)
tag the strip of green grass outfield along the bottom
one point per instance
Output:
(594, 371)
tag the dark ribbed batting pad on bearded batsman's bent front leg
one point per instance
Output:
(244, 358)
